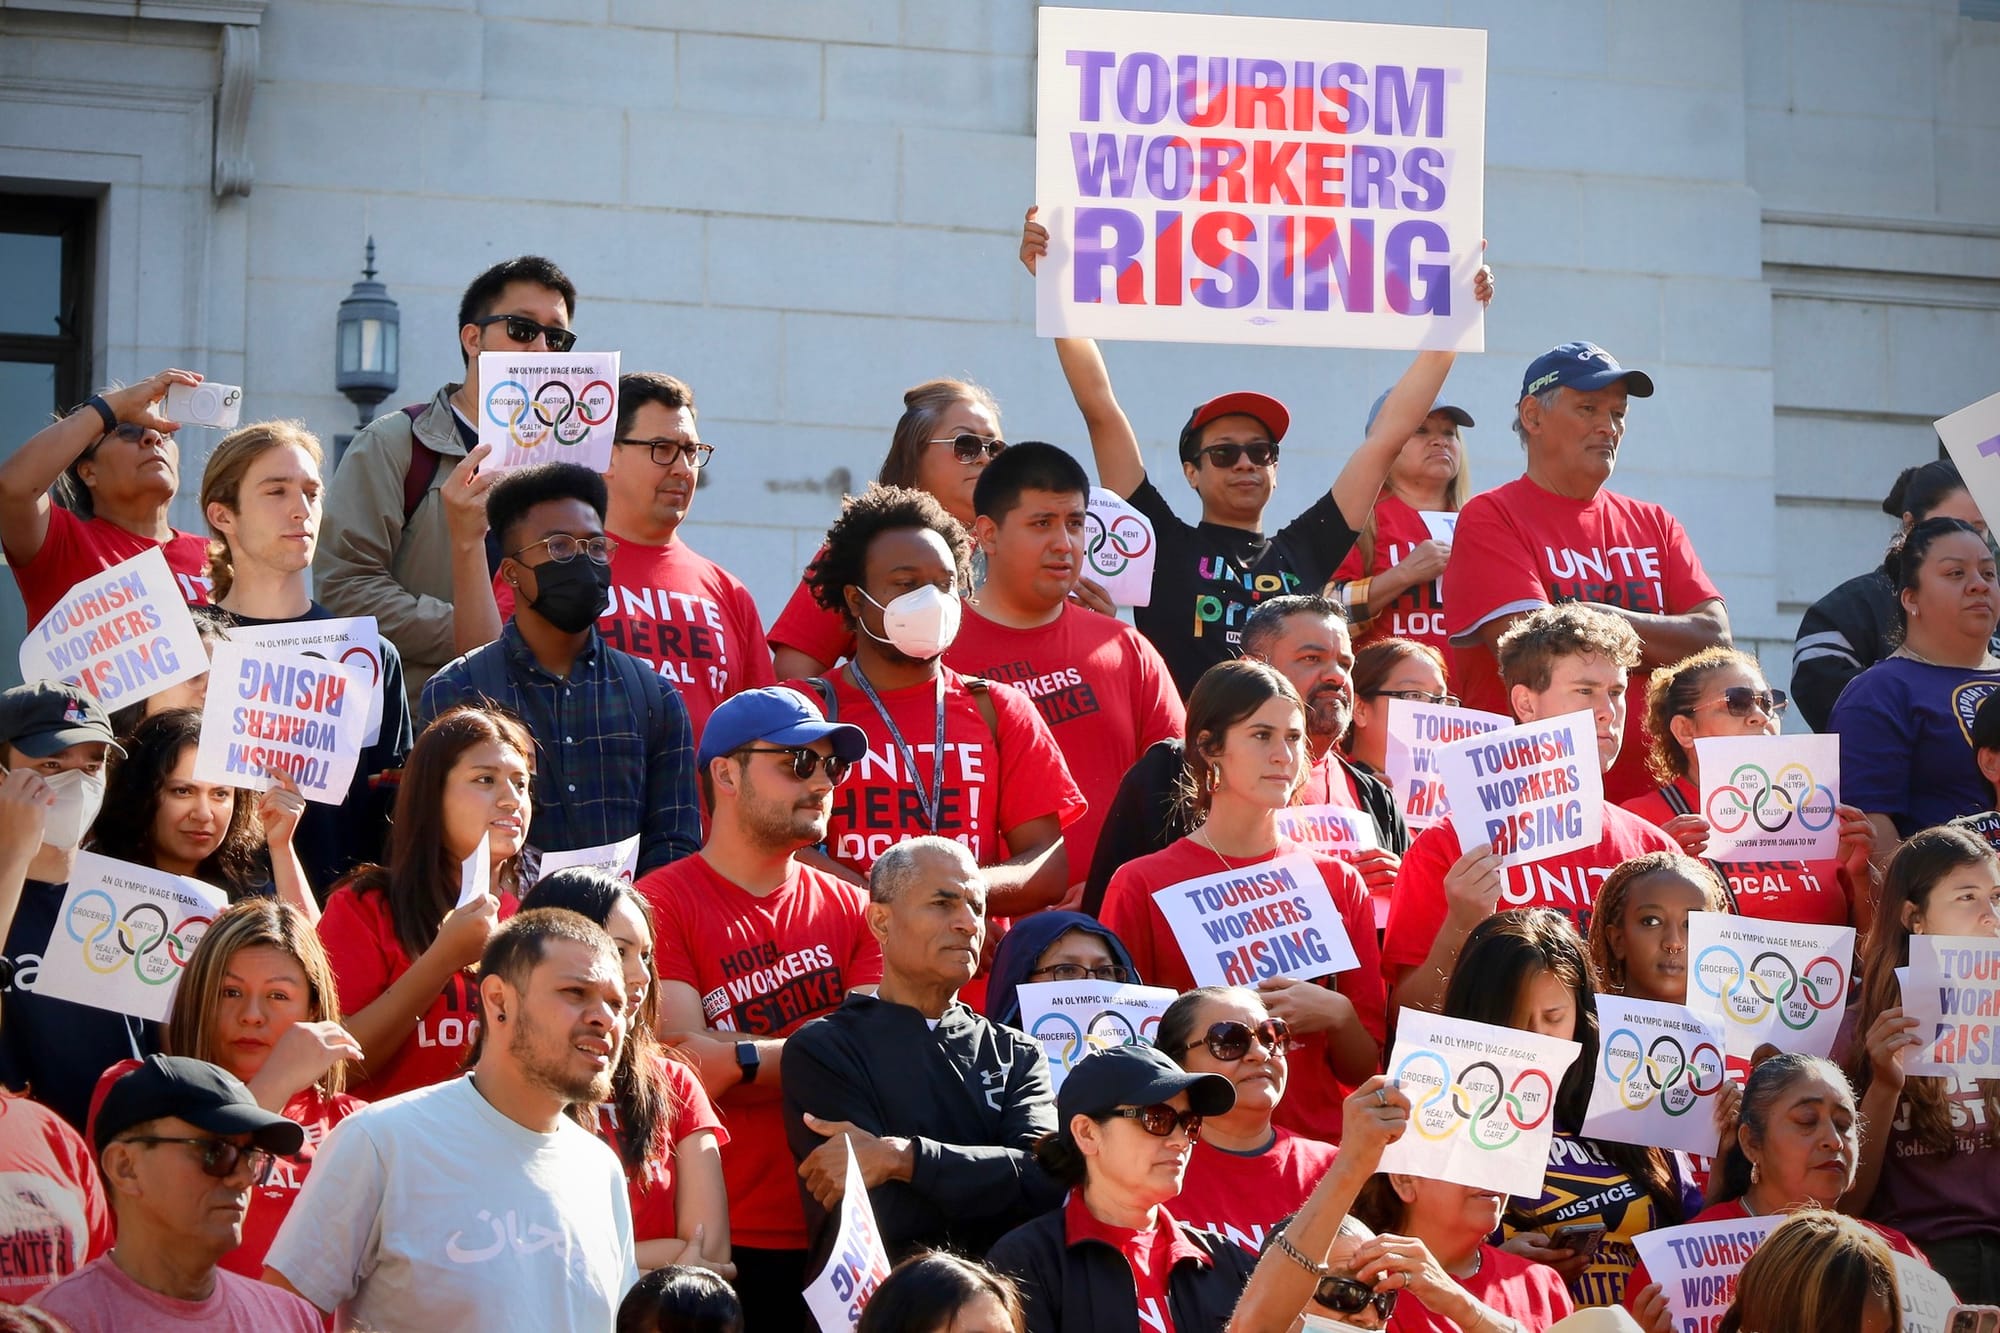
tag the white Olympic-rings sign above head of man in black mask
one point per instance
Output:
(549, 407)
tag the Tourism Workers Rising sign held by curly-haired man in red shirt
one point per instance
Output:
(1531, 792)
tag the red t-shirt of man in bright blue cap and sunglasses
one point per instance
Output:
(765, 968)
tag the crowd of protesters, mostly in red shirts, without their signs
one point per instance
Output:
(945, 774)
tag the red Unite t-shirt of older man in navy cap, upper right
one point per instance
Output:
(1537, 547)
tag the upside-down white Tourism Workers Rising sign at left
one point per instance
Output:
(283, 710)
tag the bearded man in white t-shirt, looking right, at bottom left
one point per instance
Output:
(479, 1204)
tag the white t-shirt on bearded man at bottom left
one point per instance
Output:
(437, 1212)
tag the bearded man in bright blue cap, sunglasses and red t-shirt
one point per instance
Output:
(751, 944)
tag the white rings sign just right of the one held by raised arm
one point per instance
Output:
(1659, 1074)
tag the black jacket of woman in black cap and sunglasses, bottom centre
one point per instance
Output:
(1087, 1288)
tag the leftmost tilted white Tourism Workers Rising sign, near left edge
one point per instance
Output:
(123, 635)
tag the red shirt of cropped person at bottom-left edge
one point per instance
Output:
(53, 1214)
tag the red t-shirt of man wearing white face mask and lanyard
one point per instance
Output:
(987, 796)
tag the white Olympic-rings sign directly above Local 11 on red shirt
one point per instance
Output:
(1771, 798)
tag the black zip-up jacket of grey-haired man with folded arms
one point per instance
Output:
(971, 1096)
